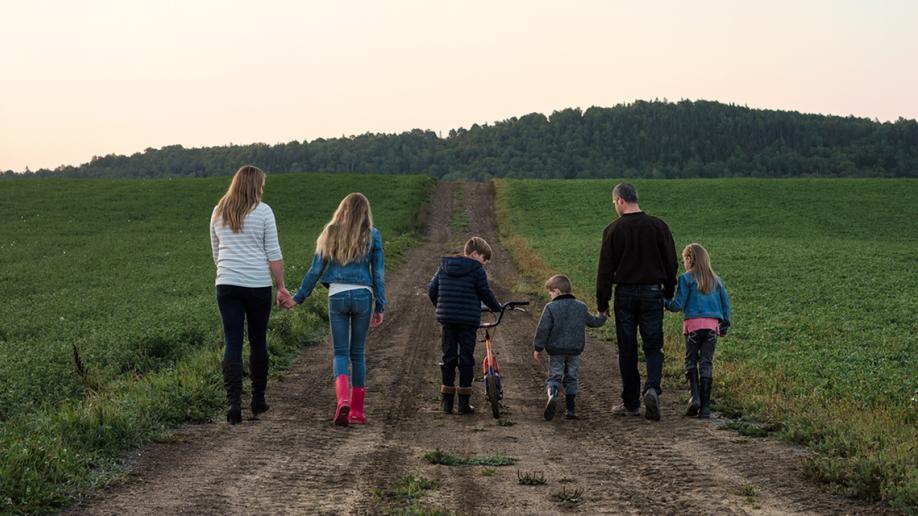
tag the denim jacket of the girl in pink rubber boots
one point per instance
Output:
(369, 271)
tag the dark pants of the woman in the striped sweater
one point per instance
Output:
(238, 305)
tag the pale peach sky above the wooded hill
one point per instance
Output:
(92, 77)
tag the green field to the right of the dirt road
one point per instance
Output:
(823, 276)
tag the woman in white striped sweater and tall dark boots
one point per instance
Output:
(243, 237)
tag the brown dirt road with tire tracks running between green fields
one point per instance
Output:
(293, 460)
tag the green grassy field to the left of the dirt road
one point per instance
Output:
(120, 274)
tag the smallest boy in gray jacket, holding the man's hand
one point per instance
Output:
(562, 333)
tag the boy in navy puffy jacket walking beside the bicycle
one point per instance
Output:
(458, 289)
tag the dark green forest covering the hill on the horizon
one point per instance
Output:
(643, 139)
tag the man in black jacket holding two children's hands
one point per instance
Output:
(638, 255)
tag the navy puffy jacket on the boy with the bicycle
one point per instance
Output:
(458, 289)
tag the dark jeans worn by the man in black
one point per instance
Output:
(639, 308)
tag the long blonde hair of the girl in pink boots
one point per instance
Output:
(348, 235)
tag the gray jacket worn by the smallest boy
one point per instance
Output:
(562, 328)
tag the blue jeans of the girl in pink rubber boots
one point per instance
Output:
(349, 313)
